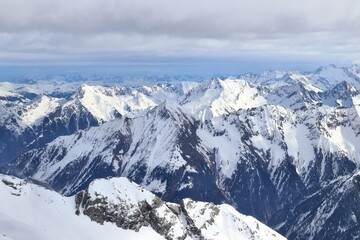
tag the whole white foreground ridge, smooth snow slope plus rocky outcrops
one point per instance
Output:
(110, 206)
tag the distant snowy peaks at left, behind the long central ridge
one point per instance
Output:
(35, 113)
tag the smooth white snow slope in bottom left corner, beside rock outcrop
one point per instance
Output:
(28, 211)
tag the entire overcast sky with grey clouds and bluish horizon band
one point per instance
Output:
(211, 34)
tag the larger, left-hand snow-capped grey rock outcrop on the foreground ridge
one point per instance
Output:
(130, 207)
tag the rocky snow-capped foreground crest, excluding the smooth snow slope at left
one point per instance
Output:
(130, 206)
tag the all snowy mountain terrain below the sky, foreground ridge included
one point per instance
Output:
(182, 159)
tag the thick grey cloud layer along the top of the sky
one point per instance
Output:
(212, 18)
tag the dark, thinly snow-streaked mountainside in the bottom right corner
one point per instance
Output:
(335, 206)
